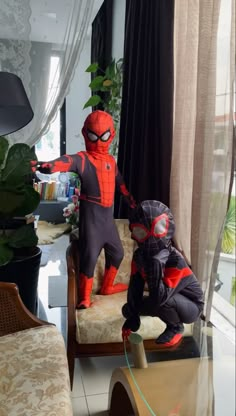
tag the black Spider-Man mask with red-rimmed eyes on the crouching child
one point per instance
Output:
(152, 226)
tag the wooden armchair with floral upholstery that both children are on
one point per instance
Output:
(96, 331)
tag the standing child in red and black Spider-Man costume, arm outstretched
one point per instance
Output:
(99, 176)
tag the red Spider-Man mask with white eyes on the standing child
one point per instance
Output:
(98, 131)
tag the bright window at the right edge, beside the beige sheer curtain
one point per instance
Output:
(223, 311)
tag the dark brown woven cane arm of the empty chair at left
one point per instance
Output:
(14, 316)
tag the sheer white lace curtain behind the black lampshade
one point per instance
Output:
(31, 33)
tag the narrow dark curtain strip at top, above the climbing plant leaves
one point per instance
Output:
(101, 42)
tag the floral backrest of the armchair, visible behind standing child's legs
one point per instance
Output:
(125, 267)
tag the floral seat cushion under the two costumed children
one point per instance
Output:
(102, 322)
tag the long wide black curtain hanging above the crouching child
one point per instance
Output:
(144, 157)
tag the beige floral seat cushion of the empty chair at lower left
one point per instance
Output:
(34, 374)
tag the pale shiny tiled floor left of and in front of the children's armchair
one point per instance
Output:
(92, 375)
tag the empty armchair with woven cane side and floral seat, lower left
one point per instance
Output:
(33, 362)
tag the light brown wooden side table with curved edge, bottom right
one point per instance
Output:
(171, 388)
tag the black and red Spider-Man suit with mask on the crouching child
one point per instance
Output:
(175, 295)
